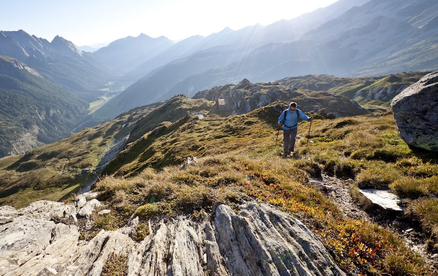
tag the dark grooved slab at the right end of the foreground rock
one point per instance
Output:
(262, 240)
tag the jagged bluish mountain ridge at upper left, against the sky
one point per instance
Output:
(60, 60)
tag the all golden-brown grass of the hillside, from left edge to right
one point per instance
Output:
(238, 160)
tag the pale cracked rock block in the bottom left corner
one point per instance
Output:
(30, 245)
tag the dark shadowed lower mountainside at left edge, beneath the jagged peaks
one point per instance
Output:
(34, 109)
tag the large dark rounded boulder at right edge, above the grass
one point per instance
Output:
(416, 113)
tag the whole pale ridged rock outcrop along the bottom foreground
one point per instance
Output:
(259, 240)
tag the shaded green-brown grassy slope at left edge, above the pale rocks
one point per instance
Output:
(56, 170)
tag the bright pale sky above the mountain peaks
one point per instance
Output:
(89, 22)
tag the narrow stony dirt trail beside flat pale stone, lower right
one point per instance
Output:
(340, 192)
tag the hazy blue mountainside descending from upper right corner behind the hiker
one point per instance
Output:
(372, 39)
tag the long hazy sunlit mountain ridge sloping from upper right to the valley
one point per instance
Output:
(363, 38)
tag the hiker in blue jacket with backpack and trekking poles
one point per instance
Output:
(289, 120)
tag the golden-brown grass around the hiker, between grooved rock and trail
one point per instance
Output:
(238, 159)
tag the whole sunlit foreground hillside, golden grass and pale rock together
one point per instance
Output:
(148, 189)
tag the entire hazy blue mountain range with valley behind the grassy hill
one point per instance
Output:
(348, 38)
